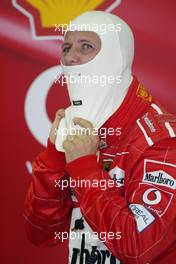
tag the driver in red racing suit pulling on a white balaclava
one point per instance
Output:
(137, 213)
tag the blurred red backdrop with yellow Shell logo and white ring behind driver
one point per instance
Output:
(30, 49)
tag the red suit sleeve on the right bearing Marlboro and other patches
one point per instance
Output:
(143, 214)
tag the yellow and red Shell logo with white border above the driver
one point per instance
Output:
(44, 15)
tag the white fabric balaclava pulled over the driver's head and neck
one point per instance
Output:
(98, 97)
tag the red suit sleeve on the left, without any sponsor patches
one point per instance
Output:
(47, 207)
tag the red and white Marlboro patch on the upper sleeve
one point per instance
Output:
(159, 173)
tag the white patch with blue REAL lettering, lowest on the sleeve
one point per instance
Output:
(142, 216)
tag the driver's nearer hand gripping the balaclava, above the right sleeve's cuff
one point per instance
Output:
(82, 144)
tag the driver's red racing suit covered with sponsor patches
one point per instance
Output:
(140, 207)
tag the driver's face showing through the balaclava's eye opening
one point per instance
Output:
(79, 47)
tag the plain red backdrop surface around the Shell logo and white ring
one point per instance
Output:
(22, 60)
